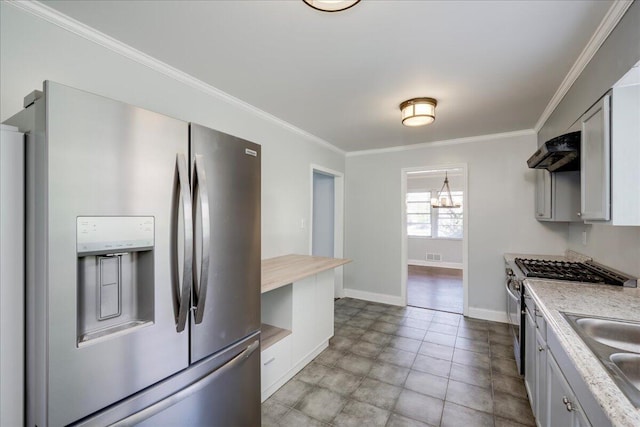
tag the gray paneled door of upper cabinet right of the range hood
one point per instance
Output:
(595, 163)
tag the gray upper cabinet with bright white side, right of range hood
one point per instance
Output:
(610, 158)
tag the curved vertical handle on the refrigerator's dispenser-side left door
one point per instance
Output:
(184, 290)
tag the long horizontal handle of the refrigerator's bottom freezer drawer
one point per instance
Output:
(169, 401)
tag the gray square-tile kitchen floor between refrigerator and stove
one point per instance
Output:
(405, 366)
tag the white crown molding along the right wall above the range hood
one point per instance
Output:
(608, 23)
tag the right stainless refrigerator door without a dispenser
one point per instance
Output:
(226, 203)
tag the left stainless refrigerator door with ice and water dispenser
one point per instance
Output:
(102, 320)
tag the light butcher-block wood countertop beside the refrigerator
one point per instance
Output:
(282, 270)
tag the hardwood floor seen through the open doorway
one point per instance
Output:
(435, 288)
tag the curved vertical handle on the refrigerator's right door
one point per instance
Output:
(200, 193)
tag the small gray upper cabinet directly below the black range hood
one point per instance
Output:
(557, 196)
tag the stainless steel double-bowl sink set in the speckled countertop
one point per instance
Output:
(616, 344)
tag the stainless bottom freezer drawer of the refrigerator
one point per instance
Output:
(221, 390)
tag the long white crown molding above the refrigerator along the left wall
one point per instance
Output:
(67, 23)
